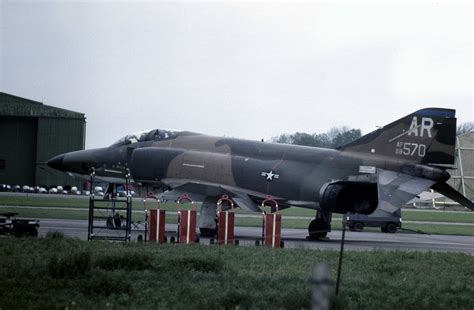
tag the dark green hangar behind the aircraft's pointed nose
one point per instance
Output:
(30, 134)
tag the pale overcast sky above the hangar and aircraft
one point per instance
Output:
(237, 69)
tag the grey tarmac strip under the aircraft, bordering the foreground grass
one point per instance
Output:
(295, 238)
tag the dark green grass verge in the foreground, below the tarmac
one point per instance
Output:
(57, 272)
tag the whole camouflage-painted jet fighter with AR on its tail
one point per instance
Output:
(384, 169)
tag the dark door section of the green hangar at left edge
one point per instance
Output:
(17, 150)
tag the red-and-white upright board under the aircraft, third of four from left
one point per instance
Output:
(225, 230)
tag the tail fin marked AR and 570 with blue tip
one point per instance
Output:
(426, 136)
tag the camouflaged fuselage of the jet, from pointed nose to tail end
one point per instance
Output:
(293, 174)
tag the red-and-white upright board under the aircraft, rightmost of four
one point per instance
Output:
(271, 229)
